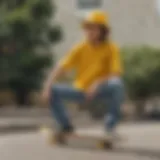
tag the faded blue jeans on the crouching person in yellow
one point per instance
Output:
(112, 91)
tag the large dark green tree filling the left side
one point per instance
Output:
(26, 36)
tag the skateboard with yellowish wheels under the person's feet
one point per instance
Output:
(98, 142)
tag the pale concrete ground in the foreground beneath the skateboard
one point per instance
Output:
(141, 143)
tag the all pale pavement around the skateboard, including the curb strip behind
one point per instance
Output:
(25, 137)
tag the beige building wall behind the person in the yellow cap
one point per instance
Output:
(133, 22)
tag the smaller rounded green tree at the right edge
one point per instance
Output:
(142, 74)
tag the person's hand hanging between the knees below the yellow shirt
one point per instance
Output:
(90, 93)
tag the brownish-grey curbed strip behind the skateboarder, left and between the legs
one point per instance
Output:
(13, 121)
